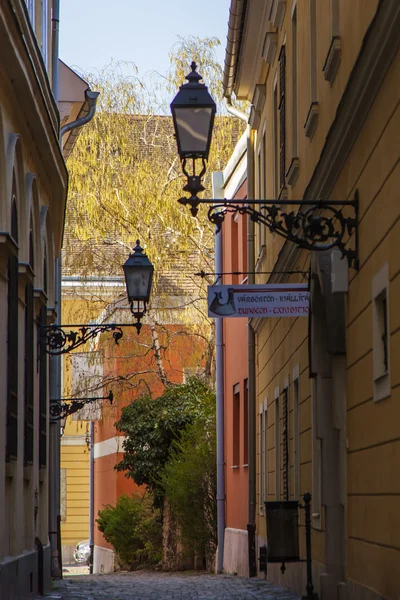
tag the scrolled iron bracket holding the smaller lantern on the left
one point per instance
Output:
(57, 340)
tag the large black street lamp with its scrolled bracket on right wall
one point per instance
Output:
(315, 225)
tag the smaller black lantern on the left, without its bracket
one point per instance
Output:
(138, 272)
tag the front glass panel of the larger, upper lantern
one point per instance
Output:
(193, 128)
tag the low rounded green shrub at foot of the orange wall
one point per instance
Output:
(134, 529)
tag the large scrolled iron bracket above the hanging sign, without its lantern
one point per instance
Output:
(316, 225)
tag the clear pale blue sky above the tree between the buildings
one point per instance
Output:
(92, 32)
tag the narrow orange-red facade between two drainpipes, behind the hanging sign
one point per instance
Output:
(232, 183)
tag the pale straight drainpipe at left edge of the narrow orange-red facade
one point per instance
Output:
(218, 193)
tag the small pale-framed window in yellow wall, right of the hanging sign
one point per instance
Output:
(381, 334)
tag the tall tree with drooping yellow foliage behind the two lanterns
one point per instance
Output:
(125, 180)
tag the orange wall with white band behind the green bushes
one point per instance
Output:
(182, 355)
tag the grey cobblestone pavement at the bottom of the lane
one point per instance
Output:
(166, 586)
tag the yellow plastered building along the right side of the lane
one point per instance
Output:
(322, 77)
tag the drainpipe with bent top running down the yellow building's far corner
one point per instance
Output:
(251, 525)
